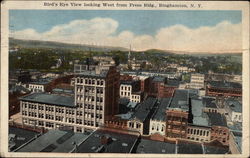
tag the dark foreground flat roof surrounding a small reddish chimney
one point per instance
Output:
(118, 143)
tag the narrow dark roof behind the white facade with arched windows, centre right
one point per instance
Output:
(160, 113)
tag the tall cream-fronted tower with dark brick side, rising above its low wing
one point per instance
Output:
(97, 94)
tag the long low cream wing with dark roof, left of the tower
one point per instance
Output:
(49, 111)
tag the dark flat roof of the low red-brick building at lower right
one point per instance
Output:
(217, 119)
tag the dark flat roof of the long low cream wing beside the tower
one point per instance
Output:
(49, 99)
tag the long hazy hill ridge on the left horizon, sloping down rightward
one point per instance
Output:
(57, 45)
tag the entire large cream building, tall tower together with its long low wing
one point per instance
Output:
(96, 100)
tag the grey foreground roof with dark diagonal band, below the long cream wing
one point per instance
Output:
(54, 141)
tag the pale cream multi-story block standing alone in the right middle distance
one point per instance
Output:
(197, 81)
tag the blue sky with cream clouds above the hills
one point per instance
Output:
(195, 31)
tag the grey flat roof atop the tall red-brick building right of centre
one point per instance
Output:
(180, 100)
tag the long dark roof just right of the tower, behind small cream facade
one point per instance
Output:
(143, 109)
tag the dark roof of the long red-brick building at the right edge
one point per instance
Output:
(224, 84)
